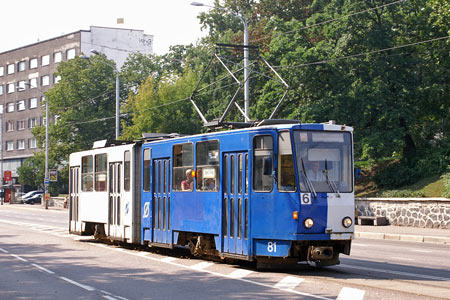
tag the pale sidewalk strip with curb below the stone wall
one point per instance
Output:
(403, 233)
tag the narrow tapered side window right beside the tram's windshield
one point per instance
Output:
(286, 171)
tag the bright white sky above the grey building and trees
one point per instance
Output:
(171, 22)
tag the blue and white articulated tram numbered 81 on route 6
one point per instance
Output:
(276, 193)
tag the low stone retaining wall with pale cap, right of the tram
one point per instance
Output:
(414, 212)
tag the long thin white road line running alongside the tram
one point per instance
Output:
(220, 275)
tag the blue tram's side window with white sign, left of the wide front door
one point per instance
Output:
(207, 166)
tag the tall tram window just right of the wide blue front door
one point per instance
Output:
(262, 163)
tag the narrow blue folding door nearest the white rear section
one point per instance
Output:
(161, 201)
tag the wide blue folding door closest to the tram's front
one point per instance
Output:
(235, 214)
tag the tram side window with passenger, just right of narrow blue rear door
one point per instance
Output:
(183, 163)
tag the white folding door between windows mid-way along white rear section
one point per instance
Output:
(114, 220)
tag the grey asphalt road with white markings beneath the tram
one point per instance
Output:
(40, 260)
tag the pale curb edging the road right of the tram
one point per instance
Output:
(403, 237)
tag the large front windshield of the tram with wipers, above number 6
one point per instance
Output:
(324, 161)
